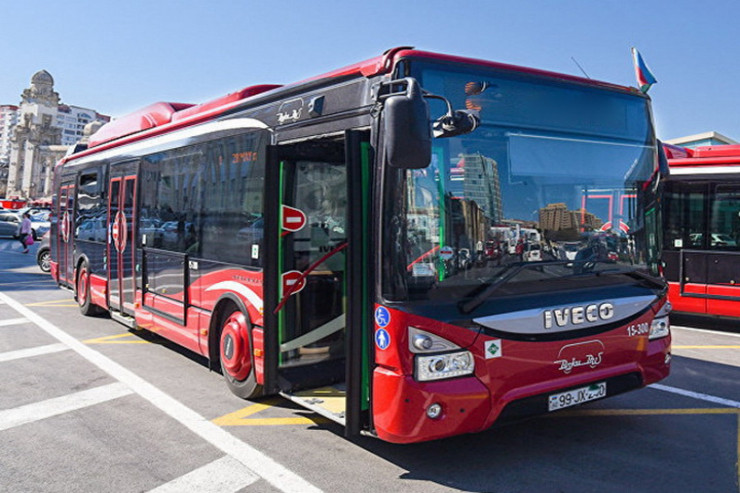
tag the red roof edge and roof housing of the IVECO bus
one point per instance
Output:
(162, 117)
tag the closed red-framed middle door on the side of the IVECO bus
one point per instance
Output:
(121, 239)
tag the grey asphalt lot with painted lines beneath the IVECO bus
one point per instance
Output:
(86, 405)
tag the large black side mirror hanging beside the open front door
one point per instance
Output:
(408, 137)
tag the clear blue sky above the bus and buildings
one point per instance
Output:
(115, 57)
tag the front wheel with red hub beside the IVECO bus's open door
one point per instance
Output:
(235, 353)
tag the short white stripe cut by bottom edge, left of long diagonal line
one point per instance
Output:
(224, 475)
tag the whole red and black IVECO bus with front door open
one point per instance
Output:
(325, 240)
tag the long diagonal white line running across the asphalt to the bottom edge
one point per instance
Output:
(274, 473)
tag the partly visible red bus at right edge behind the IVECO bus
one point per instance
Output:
(701, 214)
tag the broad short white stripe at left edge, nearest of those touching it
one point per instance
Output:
(10, 418)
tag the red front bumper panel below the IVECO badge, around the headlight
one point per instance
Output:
(516, 370)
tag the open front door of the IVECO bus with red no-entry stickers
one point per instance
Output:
(315, 342)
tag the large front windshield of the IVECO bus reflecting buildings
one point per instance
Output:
(556, 175)
